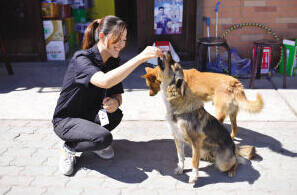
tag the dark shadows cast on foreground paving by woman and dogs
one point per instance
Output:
(134, 159)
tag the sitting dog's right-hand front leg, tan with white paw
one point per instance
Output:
(195, 161)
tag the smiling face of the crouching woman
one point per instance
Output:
(115, 48)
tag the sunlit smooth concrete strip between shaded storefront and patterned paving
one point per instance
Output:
(138, 105)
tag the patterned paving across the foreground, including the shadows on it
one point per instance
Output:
(144, 162)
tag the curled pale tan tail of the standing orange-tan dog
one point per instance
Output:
(245, 104)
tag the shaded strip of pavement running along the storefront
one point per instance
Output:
(50, 74)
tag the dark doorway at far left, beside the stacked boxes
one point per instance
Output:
(21, 30)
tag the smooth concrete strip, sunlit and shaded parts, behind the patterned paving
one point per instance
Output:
(32, 93)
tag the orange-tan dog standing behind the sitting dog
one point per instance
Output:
(226, 92)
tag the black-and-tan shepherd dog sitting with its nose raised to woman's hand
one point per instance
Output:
(191, 123)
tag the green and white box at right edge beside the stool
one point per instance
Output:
(291, 52)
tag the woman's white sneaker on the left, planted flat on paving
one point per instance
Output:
(67, 161)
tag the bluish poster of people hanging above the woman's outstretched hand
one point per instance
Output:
(168, 16)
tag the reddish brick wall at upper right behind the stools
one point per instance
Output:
(279, 15)
